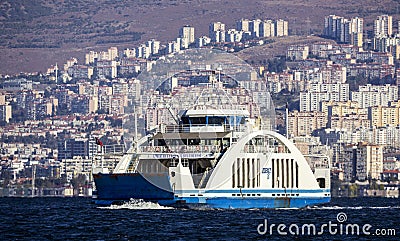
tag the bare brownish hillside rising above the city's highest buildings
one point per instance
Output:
(35, 34)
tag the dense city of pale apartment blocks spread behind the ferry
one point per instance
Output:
(330, 107)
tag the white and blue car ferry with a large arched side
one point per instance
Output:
(216, 156)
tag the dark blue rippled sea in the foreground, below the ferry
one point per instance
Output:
(80, 219)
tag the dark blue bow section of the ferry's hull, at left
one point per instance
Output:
(117, 187)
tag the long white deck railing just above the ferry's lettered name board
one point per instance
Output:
(182, 149)
